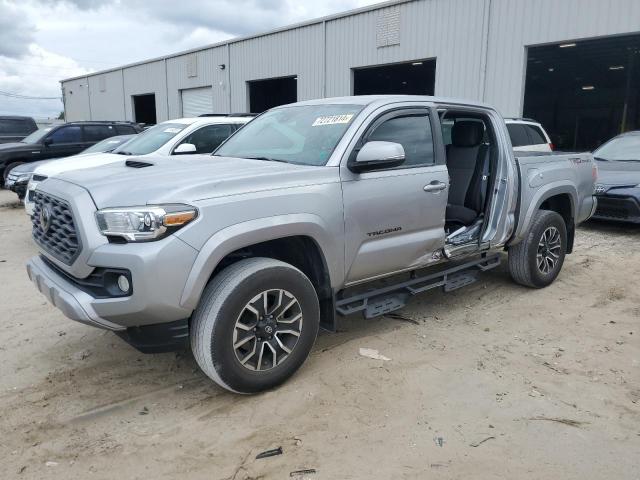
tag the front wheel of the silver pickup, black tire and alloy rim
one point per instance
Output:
(214, 324)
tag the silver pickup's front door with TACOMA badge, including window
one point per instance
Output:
(394, 218)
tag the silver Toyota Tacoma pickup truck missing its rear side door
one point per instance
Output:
(319, 208)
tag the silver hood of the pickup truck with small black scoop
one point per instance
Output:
(190, 178)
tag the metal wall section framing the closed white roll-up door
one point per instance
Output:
(208, 73)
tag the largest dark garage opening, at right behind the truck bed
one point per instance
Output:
(584, 92)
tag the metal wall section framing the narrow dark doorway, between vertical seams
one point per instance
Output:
(146, 78)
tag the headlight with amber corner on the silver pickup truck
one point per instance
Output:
(143, 224)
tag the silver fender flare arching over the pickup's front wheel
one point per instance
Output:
(255, 231)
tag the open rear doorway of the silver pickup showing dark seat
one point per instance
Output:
(469, 150)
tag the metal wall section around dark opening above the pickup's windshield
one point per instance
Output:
(294, 52)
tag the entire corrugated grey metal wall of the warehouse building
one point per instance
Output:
(479, 47)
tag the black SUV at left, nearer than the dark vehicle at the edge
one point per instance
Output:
(59, 141)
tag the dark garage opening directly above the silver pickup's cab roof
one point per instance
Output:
(410, 78)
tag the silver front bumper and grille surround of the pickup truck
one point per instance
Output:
(157, 271)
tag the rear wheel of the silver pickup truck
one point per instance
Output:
(524, 259)
